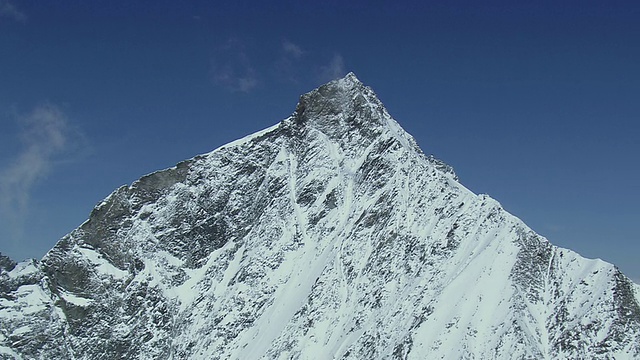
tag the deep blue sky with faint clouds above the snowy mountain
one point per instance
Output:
(534, 103)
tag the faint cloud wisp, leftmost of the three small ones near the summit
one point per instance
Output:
(232, 69)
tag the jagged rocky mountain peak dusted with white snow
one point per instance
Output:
(330, 235)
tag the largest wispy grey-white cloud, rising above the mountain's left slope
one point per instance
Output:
(45, 136)
